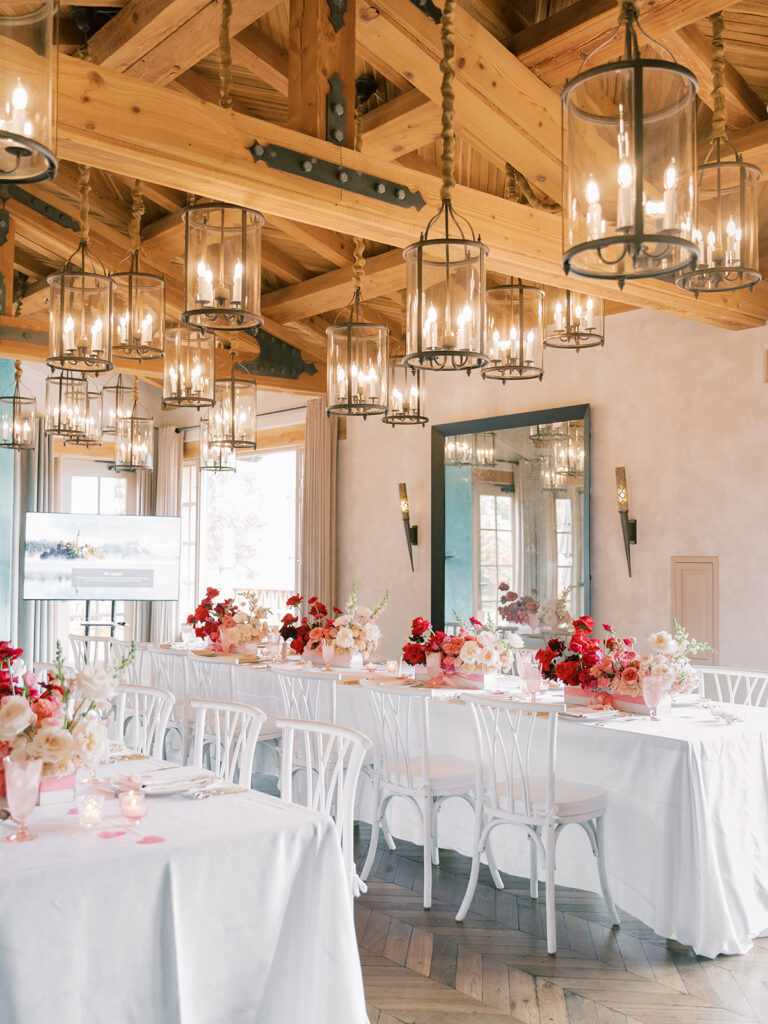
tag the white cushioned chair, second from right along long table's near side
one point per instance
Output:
(405, 767)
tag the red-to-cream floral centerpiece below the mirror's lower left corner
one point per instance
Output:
(475, 651)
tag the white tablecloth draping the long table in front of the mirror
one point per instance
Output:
(688, 829)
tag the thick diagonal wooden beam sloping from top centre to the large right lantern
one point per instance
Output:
(501, 106)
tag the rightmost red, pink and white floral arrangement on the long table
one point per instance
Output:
(613, 666)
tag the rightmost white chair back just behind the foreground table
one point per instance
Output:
(332, 758)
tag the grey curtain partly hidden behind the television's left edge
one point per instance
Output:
(35, 629)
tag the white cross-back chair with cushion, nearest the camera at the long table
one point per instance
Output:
(516, 747)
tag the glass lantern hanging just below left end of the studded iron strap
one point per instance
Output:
(223, 248)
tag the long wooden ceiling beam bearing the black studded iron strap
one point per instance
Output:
(178, 142)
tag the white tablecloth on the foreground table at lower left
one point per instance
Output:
(242, 917)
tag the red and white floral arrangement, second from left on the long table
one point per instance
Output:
(352, 631)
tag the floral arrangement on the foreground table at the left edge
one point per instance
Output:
(57, 719)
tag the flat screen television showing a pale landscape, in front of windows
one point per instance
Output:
(71, 558)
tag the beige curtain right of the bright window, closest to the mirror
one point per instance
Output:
(318, 573)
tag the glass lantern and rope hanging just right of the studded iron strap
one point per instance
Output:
(446, 270)
